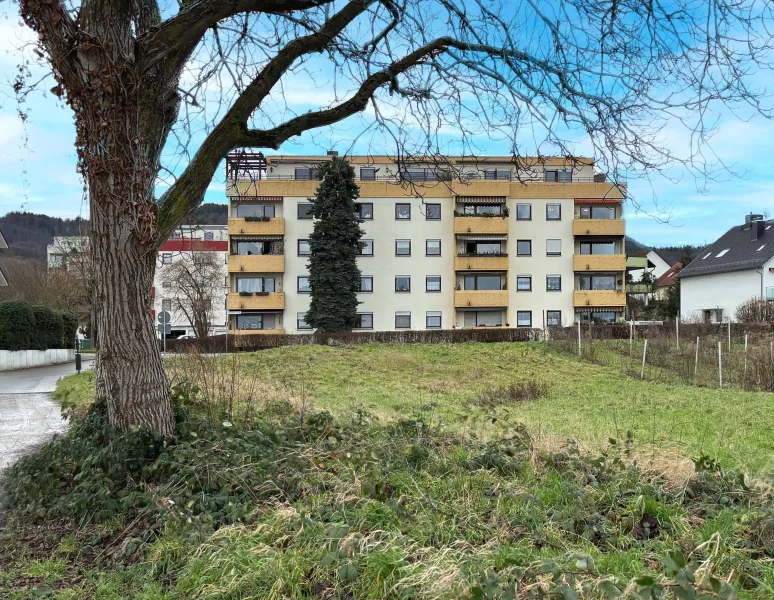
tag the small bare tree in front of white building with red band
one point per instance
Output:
(194, 281)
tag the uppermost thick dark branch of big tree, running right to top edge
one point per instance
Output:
(186, 29)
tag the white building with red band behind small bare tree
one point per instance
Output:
(184, 241)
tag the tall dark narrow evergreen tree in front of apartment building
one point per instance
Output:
(334, 276)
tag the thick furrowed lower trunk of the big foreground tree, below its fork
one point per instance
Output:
(131, 380)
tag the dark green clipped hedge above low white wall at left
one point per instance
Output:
(26, 327)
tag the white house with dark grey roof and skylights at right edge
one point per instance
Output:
(737, 267)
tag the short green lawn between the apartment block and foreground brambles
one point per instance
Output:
(589, 402)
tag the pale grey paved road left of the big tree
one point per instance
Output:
(28, 416)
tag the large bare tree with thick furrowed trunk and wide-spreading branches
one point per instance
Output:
(142, 76)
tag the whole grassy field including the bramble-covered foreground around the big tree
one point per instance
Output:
(444, 495)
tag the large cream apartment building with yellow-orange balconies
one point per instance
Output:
(485, 242)
